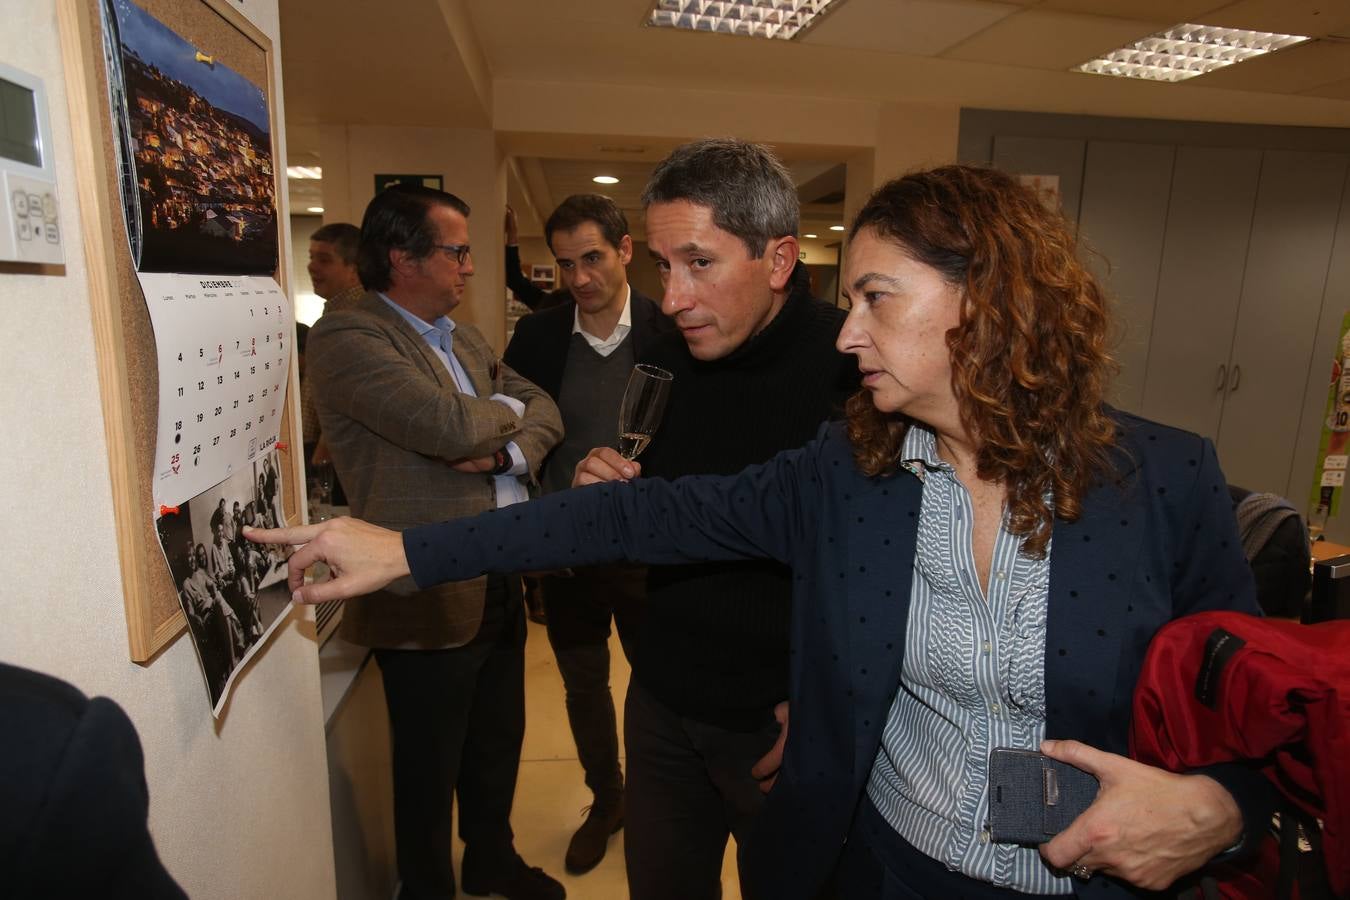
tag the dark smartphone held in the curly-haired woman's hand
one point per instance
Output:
(1033, 798)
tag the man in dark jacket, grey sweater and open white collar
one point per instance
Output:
(583, 354)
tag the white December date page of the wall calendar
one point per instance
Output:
(225, 357)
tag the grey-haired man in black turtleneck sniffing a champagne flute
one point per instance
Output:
(755, 373)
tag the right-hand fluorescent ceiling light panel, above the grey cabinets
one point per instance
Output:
(1187, 51)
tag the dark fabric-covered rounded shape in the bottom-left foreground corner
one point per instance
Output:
(72, 775)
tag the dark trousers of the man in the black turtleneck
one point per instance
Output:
(689, 789)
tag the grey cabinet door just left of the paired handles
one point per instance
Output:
(1199, 287)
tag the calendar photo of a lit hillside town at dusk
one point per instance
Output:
(200, 146)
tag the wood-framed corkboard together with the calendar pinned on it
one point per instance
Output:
(173, 115)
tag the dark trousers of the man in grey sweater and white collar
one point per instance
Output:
(580, 611)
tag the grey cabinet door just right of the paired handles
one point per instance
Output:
(1289, 257)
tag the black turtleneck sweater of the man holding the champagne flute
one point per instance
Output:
(715, 639)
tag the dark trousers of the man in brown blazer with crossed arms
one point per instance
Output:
(458, 719)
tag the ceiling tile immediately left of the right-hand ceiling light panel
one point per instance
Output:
(1051, 40)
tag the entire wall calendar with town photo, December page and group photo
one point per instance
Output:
(199, 194)
